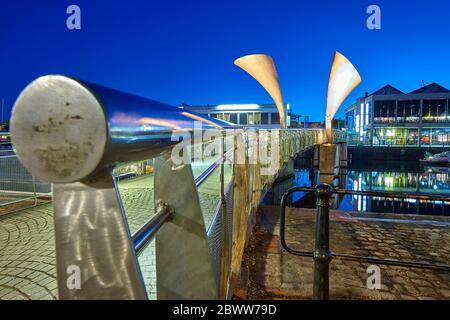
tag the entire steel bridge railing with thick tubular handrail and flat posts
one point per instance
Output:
(193, 260)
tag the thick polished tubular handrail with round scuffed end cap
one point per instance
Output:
(107, 132)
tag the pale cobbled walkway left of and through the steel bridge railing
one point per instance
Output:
(27, 250)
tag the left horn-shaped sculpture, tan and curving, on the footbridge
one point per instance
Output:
(262, 68)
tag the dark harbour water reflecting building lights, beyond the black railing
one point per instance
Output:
(409, 178)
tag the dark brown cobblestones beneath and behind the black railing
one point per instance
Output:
(269, 272)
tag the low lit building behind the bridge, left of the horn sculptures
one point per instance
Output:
(260, 115)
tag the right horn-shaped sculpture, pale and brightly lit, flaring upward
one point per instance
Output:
(343, 79)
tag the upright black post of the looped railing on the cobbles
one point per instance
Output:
(322, 254)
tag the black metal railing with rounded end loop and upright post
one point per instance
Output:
(322, 254)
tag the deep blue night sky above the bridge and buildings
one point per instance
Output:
(183, 51)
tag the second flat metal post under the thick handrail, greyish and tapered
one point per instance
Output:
(183, 264)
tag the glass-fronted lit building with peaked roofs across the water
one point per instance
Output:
(389, 117)
